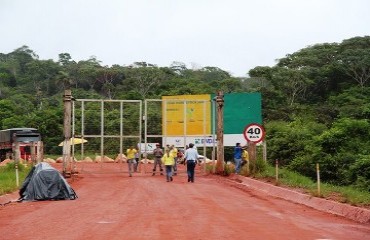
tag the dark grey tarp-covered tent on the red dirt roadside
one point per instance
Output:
(45, 183)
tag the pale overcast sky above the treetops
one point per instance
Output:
(234, 35)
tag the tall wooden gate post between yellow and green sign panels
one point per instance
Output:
(220, 132)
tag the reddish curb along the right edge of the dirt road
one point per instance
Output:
(341, 209)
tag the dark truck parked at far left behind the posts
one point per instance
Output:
(24, 136)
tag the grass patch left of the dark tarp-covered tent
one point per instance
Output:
(8, 182)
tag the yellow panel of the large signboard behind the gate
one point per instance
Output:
(186, 115)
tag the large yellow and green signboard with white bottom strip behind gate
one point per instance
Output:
(240, 109)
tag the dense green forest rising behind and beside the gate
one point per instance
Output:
(316, 101)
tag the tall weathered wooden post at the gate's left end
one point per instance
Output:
(67, 100)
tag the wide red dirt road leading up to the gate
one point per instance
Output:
(115, 206)
